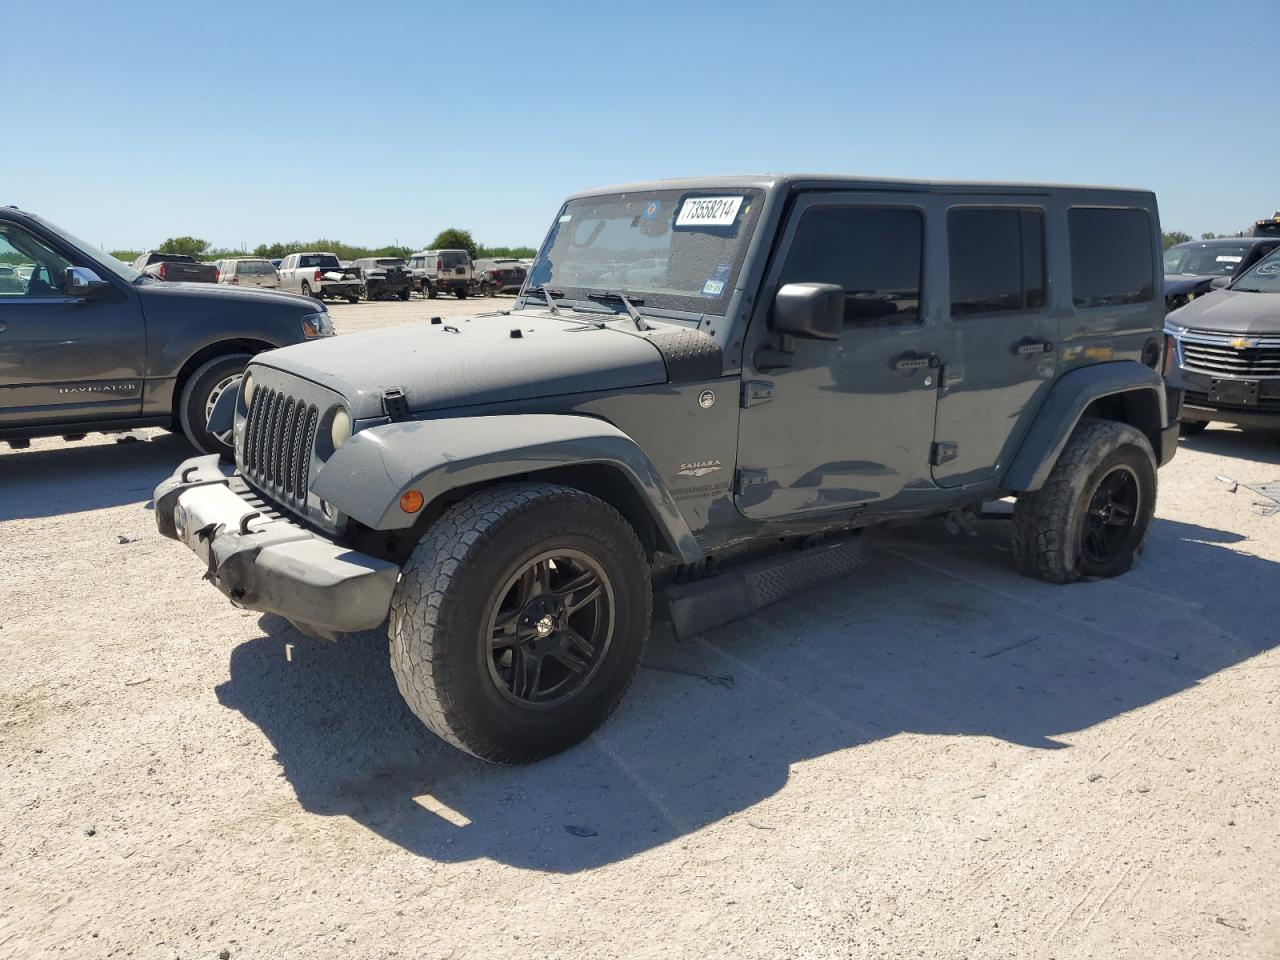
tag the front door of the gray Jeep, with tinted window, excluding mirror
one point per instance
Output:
(844, 423)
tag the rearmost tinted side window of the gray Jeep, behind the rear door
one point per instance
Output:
(1112, 262)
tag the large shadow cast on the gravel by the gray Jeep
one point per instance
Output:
(938, 637)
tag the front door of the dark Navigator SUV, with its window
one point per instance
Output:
(63, 359)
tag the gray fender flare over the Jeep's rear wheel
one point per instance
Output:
(1068, 400)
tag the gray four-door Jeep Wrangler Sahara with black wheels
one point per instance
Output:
(710, 386)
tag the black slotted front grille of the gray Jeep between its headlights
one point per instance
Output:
(280, 436)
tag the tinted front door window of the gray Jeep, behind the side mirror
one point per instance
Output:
(874, 253)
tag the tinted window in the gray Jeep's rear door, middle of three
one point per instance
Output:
(996, 260)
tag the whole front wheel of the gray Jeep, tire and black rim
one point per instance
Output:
(519, 621)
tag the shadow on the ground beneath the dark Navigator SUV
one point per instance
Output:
(56, 482)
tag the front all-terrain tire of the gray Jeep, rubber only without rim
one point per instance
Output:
(440, 621)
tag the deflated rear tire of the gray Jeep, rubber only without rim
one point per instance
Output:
(1050, 524)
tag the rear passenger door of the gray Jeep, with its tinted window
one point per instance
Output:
(1003, 335)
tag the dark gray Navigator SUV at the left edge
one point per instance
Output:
(92, 345)
